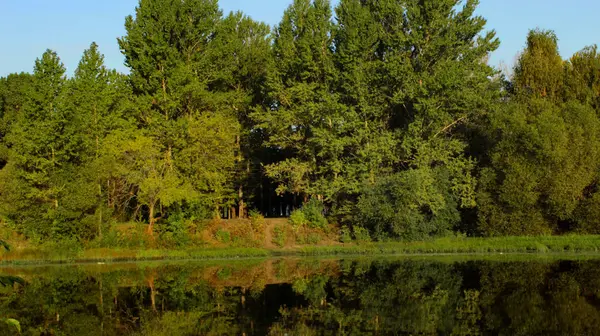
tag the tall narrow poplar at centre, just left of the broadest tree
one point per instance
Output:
(303, 114)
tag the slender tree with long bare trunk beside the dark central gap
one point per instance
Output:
(241, 51)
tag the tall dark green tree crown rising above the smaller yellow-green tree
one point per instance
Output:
(166, 49)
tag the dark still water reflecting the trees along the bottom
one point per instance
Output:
(308, 297)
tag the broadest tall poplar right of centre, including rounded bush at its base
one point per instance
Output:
(417, 70)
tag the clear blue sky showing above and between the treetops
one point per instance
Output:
(29, 27)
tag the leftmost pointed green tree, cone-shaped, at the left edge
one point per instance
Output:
(40, 148)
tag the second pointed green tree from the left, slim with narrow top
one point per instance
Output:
(99, 100)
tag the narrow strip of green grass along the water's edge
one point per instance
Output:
(570, 244)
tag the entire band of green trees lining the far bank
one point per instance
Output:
(385, 115)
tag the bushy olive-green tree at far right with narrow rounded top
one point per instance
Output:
(546, 149)
